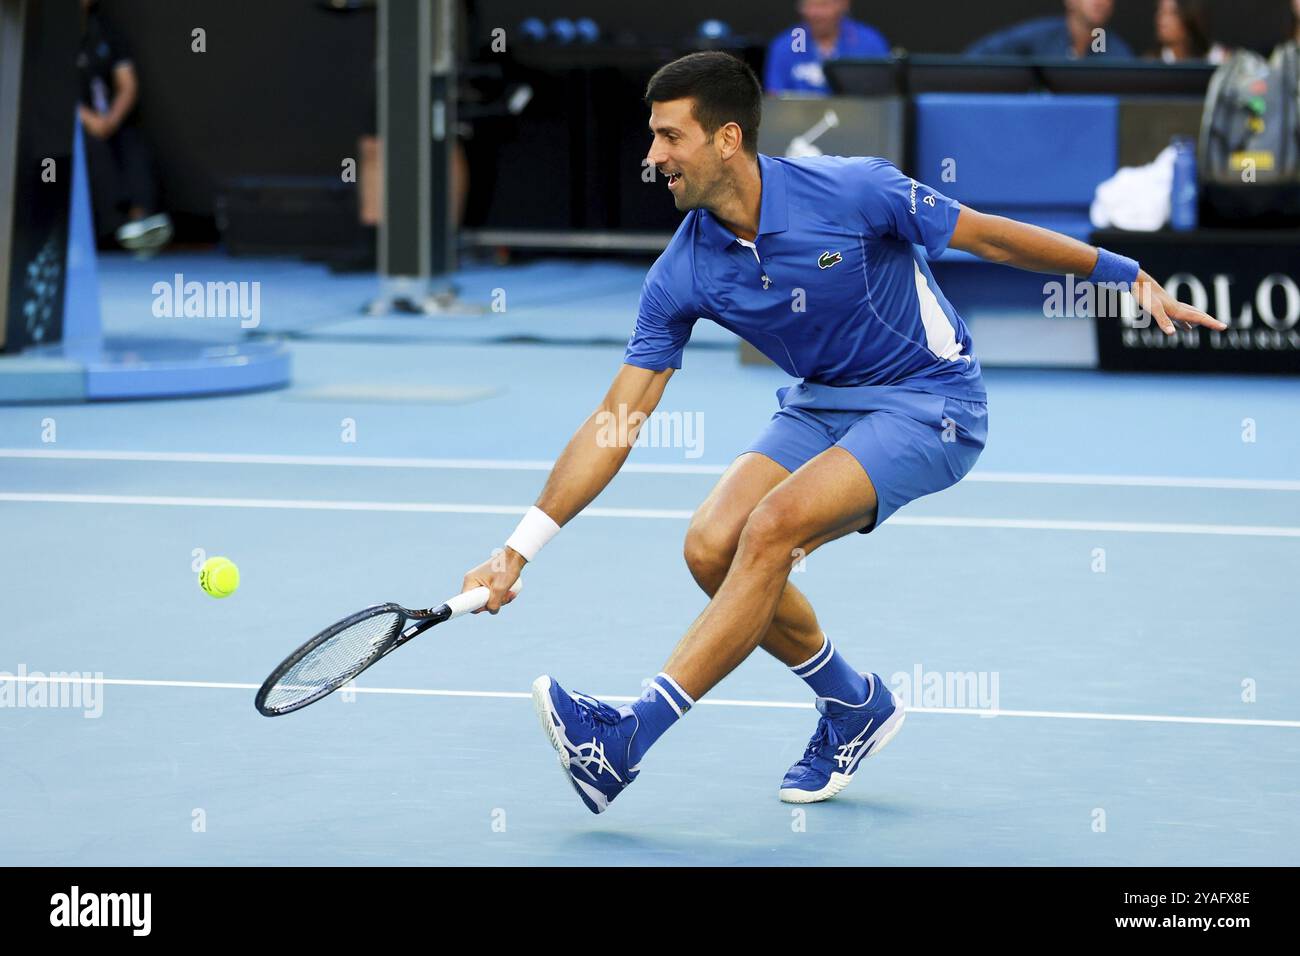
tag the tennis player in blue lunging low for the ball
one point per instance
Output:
(816, 263)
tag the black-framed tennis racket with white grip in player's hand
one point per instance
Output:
(346, 648)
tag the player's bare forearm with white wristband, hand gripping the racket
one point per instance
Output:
(590, 462)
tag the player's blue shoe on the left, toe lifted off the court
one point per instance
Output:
(592, 739)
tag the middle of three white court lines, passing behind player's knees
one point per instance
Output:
(666, 514)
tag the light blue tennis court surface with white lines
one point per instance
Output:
(1095, 630)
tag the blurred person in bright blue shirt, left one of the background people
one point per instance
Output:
(826, 33)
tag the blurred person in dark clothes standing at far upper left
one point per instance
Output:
(123, 185)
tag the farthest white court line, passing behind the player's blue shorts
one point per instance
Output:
(634, 468)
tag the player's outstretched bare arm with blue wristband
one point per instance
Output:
(1002, 240)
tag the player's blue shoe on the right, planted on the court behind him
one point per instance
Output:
(844, 738)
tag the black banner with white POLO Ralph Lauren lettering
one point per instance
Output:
(1250, 280)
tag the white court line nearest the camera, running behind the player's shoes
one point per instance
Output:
(718, 703)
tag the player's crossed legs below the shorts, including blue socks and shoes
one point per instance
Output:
(601, 747)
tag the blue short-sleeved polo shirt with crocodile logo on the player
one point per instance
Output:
(834, 289)
